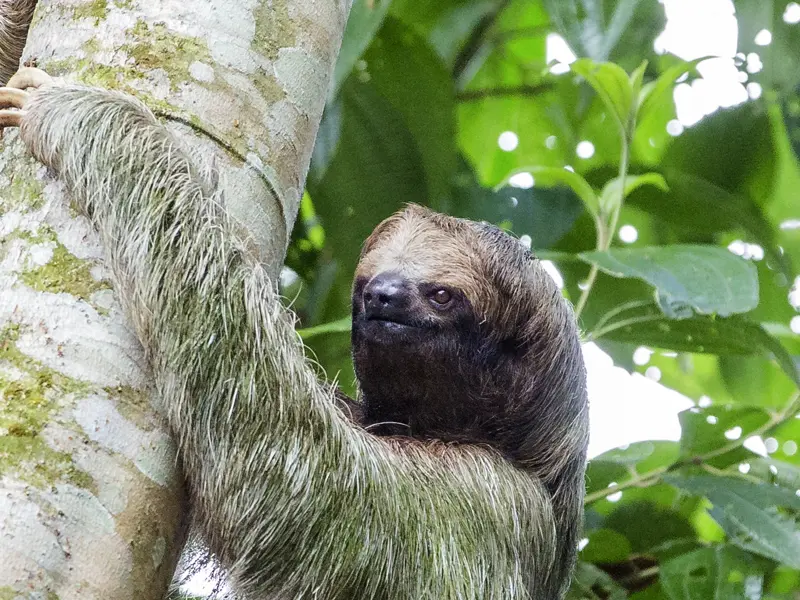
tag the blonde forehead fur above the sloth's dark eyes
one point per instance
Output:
(425, 246)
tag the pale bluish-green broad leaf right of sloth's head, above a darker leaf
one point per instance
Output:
(702, 279)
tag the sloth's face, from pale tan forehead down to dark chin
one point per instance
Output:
(416, 285)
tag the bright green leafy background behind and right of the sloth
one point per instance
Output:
(424, 89)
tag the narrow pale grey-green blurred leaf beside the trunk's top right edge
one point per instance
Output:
(363, 23)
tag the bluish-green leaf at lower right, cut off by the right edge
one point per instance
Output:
(747, 512)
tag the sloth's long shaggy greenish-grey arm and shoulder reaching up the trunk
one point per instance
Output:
(294, 499)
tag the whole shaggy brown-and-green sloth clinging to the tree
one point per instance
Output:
(457, 473)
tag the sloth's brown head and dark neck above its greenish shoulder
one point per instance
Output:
(459, 334)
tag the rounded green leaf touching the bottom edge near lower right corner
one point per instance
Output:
(715, 573)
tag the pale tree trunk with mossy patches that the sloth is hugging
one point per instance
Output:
(91, 501)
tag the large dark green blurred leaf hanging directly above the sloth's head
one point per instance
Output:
(397, 56)
